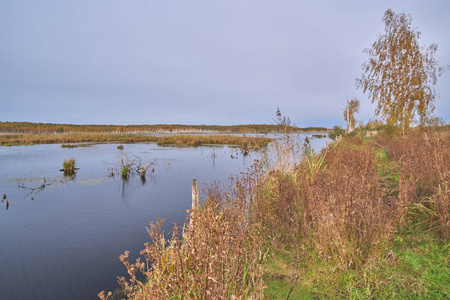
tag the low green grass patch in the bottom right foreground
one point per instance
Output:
(417, 267)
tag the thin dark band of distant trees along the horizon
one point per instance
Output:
(28, 127)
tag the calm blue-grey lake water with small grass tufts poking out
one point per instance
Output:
(64, 241)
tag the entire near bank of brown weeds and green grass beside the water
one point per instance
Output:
(363, 219)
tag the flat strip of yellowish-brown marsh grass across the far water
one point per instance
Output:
(10, 139)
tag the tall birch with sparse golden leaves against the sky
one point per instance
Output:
(400, 74)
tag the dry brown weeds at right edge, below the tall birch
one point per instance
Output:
(423, 161)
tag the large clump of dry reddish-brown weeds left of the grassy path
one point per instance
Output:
(335, 207)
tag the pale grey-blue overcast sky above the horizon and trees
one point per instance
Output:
(197, 62)
